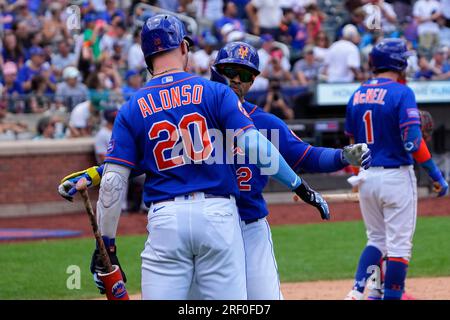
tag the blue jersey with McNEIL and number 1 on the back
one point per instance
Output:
(377, 112)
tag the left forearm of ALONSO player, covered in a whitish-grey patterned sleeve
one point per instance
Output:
(109, 206)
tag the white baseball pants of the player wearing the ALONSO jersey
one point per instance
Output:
(194, 235)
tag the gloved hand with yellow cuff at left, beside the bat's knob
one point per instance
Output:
(67, 186)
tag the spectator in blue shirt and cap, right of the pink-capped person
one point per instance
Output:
(37, 66)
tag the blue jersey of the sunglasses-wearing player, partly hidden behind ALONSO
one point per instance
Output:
(251, 183)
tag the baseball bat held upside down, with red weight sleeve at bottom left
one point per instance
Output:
(112, 279)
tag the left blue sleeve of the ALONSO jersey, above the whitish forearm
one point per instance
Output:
(122, 146)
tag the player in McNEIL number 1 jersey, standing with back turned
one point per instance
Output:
(383, 113)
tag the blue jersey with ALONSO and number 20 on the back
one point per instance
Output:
(171, 128)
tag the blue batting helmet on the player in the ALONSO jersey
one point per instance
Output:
(161, 33)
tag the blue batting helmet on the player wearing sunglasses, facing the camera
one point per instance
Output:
(239, 53)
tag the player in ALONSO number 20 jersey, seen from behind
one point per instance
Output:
(165, 130)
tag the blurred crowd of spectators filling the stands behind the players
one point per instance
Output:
(74, 73)
